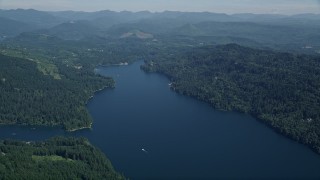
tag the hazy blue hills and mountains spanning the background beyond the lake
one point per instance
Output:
(267, 30)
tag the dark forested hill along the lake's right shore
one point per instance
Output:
(281, 89)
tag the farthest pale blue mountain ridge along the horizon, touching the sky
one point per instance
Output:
(43, 19)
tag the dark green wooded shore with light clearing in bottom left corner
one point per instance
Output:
(57, 158)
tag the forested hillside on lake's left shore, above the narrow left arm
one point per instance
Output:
(29, 95)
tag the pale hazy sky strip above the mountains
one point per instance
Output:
(225, 6)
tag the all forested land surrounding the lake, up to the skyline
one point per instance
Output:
(47, 62)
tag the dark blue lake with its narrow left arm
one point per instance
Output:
(182, 137)
